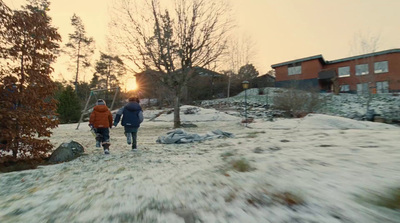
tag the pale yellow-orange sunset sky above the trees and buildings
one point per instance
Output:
(281, 30)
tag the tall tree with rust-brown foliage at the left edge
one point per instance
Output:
(27, 107)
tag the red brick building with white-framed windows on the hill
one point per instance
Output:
(378, 72)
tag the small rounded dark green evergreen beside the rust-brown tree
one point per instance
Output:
(69, 107)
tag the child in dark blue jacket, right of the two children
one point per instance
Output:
(132, 116)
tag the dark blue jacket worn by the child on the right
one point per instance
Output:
(132, 115)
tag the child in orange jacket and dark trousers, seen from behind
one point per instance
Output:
(101, 121)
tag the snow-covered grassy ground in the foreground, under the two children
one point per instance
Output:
(316, 169)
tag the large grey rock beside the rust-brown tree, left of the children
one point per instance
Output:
(66, 152)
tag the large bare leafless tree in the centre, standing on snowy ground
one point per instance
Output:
(172, 40)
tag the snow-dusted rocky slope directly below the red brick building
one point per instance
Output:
(346, 105)
